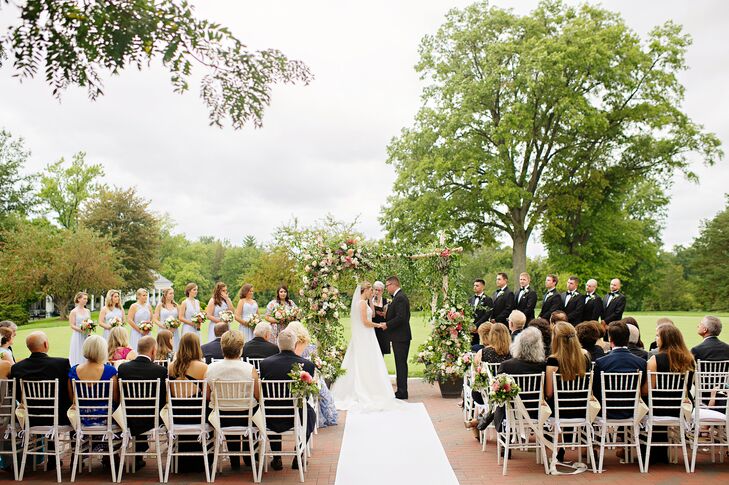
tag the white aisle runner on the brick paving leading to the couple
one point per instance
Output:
(392, 447)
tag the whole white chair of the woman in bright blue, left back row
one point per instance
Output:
(94, 408)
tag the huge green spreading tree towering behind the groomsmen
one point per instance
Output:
(519, 110)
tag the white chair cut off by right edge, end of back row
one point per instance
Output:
(711, 384)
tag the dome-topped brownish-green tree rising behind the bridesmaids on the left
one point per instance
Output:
(124, 217)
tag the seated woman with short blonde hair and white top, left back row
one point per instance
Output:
(232, 368)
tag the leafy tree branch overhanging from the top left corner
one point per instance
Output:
(75, 42)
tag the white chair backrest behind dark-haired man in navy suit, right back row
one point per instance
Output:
(620, 394)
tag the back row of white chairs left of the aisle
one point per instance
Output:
(101, 432)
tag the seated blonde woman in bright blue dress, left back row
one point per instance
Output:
(94, 368)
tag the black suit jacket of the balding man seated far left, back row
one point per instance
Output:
(40, 367)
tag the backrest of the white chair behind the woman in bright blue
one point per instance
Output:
(94, 403)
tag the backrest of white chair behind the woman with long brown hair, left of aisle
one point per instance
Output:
(186, 400)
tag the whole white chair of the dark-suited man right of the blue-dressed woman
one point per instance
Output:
(140, 402)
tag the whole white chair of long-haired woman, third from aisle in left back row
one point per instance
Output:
(187, 421)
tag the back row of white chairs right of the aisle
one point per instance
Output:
(621, 396)
